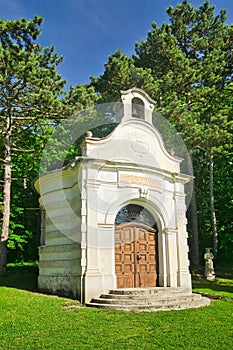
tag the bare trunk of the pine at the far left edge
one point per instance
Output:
(6, 198)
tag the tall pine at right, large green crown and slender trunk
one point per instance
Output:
(191, 58)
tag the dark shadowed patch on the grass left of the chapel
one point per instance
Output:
(20, 276)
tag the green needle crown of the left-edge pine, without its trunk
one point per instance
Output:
(30, 84)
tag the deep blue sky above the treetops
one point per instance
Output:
(86, 32)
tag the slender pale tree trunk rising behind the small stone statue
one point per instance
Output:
(212, 208)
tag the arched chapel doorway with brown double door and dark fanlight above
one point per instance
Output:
(136, 262)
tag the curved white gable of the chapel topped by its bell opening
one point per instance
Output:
(135, 140)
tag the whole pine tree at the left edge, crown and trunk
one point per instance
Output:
(30, 91)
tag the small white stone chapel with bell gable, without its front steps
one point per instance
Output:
(117, 217)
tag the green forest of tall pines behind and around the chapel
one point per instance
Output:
(185, 65)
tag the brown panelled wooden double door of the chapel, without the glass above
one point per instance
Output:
(135, 255)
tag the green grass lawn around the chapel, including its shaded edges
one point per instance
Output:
(33, 321)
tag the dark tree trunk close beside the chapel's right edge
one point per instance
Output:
(194, 229)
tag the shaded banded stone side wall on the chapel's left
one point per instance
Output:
(60, 250)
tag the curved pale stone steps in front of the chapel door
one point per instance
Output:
(149, 299)
